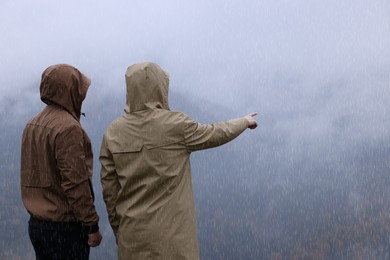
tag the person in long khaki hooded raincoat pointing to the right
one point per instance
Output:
(146, 174)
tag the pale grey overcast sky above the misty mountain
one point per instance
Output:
(308, 67)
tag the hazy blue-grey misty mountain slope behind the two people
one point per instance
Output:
(265, 195)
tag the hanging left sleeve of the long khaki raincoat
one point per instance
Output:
(110, 184)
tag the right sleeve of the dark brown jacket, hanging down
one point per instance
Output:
(75, 176)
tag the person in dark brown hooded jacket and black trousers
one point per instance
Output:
(56, 170)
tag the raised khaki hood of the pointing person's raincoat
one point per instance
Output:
(147, 87)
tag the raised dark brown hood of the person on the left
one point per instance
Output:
(65, 86)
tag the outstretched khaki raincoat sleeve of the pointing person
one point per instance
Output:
(202, 136)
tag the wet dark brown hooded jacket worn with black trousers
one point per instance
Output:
(56, 154)
